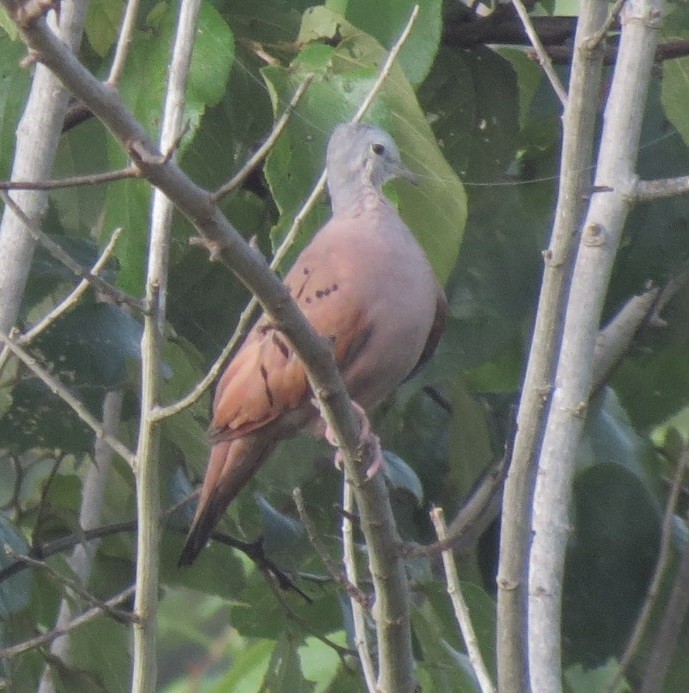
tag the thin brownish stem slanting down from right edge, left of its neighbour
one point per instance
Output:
(661, 565)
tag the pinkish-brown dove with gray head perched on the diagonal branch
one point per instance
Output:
(366, 284)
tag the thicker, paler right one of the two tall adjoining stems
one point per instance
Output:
(597, 249)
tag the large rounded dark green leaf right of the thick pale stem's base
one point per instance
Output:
(610, 559)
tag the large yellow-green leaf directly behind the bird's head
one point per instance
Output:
(435, 211)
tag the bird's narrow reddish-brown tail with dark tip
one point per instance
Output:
(231, 465)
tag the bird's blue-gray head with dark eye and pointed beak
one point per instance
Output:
(361, 156)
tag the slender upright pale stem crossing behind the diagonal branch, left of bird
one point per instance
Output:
(152, 343)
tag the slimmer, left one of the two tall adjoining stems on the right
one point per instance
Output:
(577, 153)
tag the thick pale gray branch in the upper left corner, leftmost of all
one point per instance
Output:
(38, 135)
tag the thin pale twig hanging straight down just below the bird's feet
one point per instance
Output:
(358, 612)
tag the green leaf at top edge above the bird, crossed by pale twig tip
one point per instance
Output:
(385, 20)
